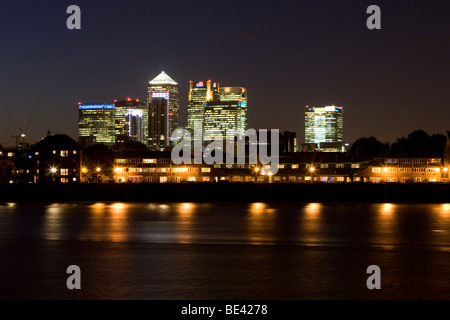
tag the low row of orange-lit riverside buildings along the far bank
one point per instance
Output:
(58, 159)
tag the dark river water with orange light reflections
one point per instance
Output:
(254, 251)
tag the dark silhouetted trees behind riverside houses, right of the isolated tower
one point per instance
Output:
(417, 144)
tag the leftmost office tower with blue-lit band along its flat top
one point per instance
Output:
(96, 124)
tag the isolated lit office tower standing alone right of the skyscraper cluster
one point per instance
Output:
(324, 124)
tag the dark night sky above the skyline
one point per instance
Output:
(288, 54)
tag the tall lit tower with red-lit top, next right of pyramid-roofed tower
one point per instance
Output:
(199, 93)
